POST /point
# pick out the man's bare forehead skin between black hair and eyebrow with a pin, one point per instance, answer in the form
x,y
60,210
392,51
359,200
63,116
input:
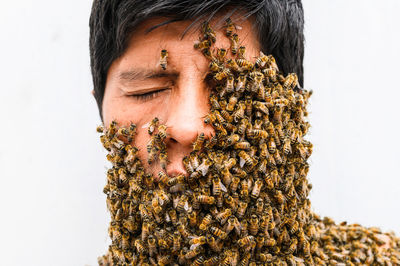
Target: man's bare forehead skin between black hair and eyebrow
x,y
179,37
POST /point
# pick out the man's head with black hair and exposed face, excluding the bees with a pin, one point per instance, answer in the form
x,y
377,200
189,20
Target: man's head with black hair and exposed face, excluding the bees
x,y
129,84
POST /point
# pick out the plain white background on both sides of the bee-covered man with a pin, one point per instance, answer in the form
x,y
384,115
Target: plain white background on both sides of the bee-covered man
x,y
53,211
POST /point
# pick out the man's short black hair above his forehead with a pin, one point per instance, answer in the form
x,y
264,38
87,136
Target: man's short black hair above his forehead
x,y
279,25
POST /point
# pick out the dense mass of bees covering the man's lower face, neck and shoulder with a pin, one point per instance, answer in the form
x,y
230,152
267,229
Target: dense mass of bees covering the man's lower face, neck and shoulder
x,y
245,198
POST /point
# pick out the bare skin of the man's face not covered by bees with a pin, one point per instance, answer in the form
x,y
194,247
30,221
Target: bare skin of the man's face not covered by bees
x,y
138,89
